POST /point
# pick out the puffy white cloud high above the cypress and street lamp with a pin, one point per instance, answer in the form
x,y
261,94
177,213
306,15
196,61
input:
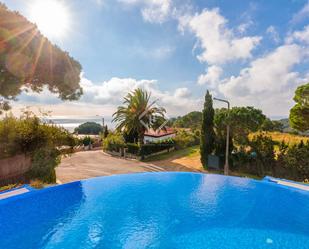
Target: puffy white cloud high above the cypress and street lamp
x,y
219,44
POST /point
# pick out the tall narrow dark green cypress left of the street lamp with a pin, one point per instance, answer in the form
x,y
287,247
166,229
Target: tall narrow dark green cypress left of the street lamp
x,y
207,131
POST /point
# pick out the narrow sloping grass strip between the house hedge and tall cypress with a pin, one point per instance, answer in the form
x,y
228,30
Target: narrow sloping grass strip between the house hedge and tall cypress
x,y
187,152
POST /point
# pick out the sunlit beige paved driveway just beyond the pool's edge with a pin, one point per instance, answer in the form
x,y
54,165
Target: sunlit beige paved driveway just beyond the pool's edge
x,y
87,164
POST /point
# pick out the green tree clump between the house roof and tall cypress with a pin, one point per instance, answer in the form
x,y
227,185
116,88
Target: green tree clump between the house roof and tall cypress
x,y
191,120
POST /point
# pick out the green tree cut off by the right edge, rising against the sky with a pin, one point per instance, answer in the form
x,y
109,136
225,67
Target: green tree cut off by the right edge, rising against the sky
x,y
299,114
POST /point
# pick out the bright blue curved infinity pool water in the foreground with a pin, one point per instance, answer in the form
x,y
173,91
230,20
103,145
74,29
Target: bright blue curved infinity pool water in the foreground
x,y
158,210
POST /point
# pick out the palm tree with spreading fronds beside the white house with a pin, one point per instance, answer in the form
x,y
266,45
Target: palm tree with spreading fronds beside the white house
x,y
137,114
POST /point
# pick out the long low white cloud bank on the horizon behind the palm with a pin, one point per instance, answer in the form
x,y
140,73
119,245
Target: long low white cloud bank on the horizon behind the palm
x,y
106,96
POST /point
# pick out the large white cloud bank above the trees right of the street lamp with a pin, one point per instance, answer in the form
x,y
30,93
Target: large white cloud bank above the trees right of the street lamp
x,y
268,83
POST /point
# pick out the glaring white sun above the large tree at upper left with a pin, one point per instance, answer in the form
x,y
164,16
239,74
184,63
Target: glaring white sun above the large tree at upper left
x,y
51,17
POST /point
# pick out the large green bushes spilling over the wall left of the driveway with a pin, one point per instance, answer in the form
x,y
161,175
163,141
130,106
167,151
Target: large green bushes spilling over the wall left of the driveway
x,y
27,135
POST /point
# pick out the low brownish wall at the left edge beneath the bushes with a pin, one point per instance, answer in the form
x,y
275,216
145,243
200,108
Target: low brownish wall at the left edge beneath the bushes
x,y
13,169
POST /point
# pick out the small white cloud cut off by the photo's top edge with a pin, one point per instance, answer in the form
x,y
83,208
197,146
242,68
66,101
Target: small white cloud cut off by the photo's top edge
x,y
153,11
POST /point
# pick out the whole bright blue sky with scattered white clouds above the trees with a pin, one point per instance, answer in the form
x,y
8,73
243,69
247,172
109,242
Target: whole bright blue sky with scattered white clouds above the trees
x,y
253,53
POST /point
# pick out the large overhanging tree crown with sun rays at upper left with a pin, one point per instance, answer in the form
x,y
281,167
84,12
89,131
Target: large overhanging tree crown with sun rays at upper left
x,y
28,60
